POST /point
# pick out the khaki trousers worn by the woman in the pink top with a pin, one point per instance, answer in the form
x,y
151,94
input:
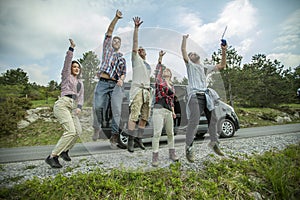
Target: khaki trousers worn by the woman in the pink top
x,y
64,111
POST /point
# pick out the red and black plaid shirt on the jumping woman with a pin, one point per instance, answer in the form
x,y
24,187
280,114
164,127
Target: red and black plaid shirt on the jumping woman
x,y
162,91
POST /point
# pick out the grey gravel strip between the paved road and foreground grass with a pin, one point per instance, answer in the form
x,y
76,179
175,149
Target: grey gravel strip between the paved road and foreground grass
x,y
14,173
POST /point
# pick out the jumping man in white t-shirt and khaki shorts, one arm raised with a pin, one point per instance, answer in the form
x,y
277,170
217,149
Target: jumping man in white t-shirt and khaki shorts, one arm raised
x,y
140,92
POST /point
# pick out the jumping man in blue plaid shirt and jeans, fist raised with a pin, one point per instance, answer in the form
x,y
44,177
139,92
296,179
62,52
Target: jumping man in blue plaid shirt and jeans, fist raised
x,y
111,75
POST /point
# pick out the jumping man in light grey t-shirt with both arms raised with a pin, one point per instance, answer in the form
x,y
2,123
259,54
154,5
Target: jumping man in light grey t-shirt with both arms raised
x,y
200,98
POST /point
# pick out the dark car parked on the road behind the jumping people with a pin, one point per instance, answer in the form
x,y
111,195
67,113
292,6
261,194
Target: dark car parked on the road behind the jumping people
x,y
228,122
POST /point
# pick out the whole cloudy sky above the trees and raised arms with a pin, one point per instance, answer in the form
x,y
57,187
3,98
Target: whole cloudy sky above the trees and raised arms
x,y
34,33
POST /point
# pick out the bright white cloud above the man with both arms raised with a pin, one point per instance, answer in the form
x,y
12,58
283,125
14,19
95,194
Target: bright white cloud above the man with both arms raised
x,y
238,15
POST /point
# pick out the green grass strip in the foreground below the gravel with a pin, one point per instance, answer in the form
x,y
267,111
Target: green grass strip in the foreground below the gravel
x,y
274,175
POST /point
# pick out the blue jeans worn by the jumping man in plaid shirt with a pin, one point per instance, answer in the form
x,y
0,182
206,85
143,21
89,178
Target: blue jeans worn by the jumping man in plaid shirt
x,y
105,92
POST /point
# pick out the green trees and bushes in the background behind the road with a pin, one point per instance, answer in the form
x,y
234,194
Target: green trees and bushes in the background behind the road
x,y
260,83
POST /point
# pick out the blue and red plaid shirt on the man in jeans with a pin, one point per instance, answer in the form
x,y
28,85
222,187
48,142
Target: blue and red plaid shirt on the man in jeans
x,y
113,62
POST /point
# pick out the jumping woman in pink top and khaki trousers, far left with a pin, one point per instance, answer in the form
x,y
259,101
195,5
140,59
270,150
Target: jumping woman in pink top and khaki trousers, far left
x,y
67,108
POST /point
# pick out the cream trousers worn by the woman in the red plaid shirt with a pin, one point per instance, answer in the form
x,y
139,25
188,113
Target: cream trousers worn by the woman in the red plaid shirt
x,y
162,118
